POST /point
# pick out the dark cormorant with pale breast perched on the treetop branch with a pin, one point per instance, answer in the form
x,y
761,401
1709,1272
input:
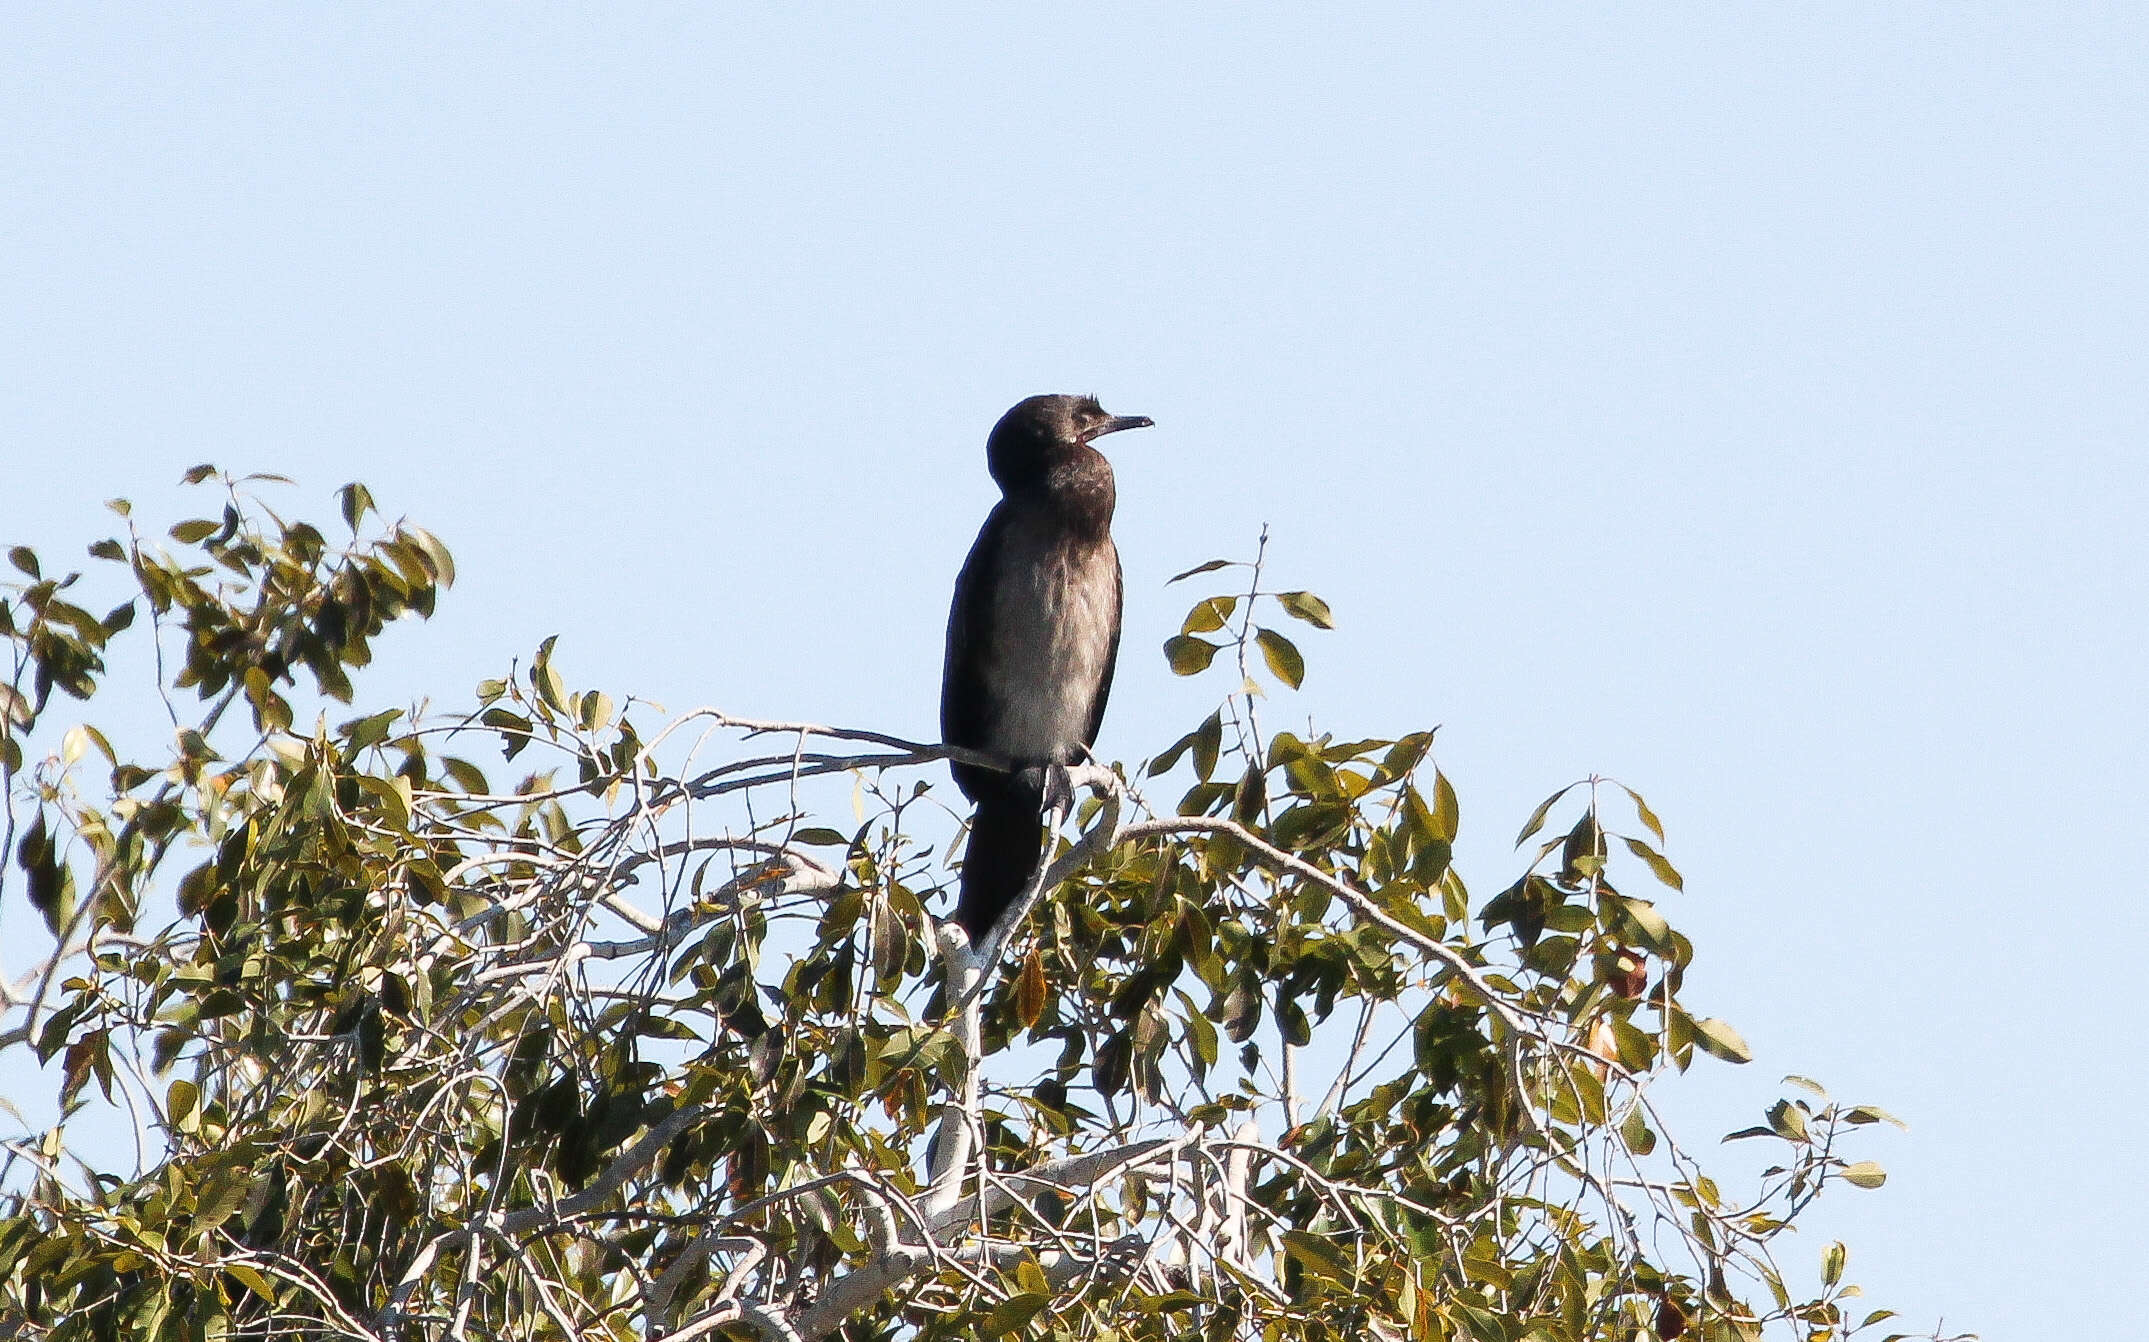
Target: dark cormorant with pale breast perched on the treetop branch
x,y
1033,638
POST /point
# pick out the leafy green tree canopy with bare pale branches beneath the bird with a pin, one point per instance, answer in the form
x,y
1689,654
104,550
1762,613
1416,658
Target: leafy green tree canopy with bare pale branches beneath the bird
x,y
553,1016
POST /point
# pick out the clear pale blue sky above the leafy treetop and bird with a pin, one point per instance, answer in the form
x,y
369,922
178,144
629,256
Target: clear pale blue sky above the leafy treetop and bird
x,y
1746,405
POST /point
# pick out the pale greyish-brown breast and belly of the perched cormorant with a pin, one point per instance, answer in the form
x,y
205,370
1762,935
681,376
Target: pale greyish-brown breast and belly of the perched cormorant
x,y
1054,627
